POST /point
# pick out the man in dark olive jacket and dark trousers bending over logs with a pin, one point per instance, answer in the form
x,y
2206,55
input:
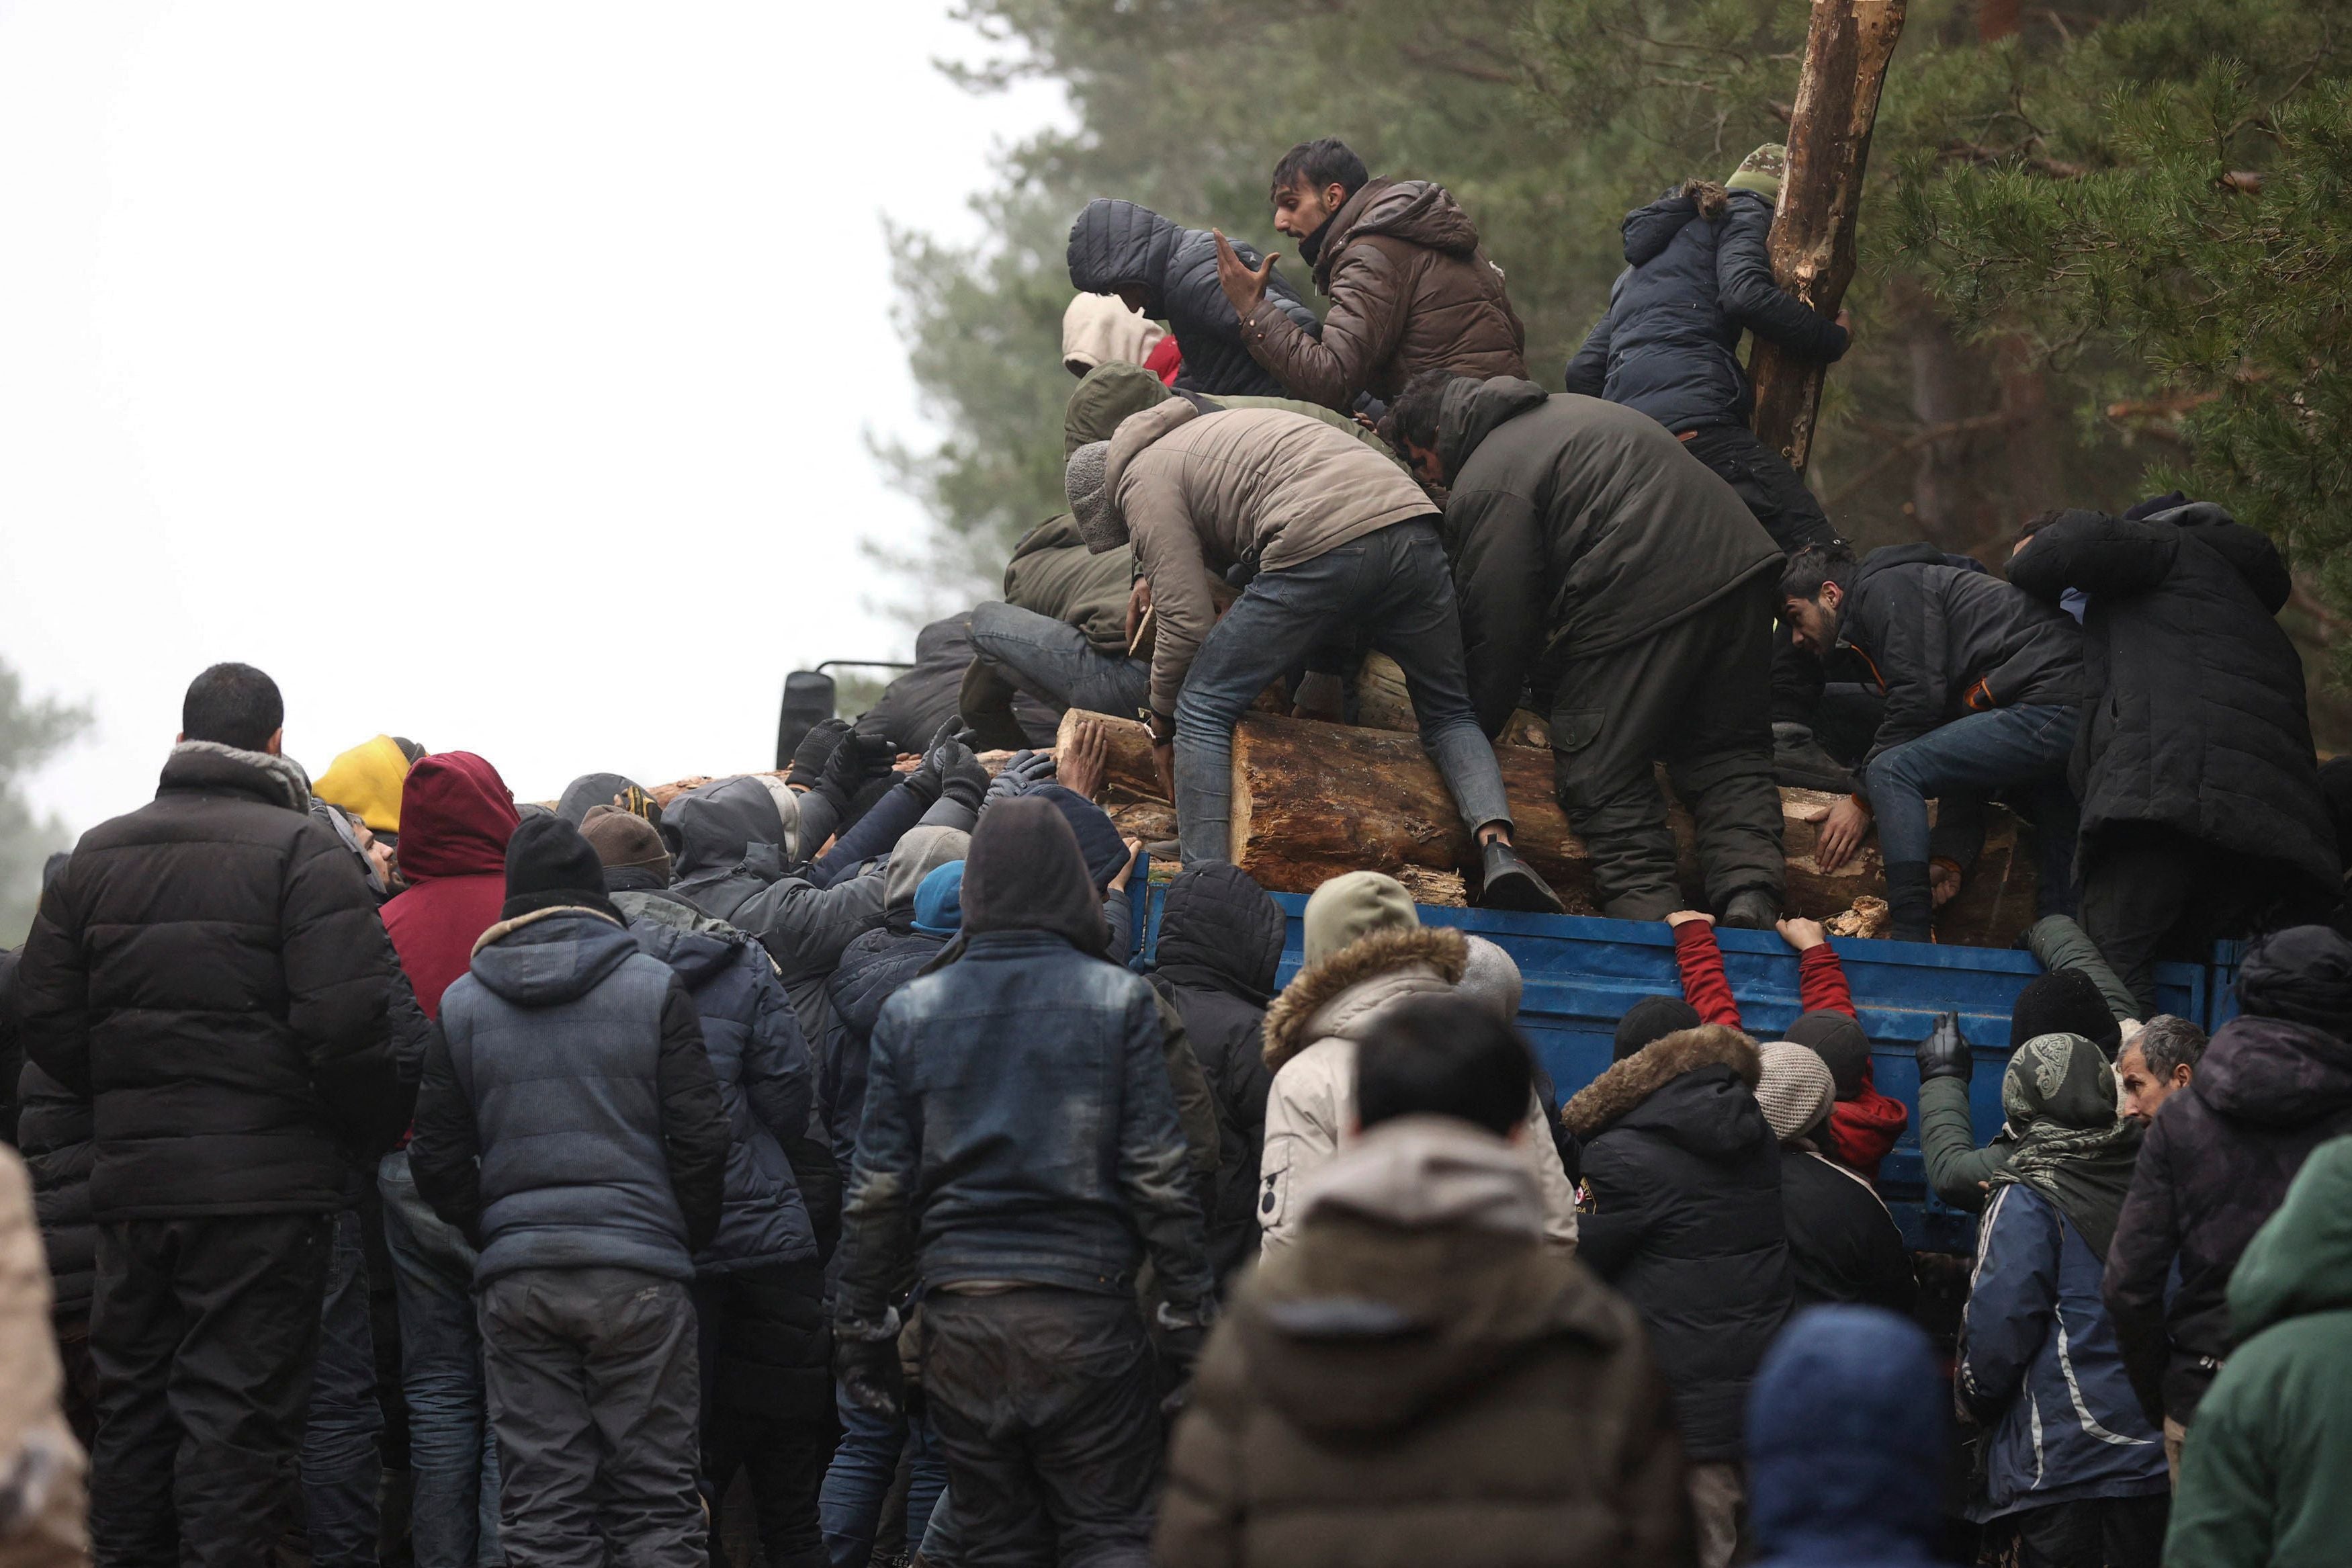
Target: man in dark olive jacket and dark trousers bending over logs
x,y
1636,589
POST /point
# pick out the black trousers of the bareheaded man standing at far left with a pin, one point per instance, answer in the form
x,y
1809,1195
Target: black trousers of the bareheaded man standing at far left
x,y
203,1334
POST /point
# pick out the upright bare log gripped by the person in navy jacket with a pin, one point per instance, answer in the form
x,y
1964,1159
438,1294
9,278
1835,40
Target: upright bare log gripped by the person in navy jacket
x,y
1812,241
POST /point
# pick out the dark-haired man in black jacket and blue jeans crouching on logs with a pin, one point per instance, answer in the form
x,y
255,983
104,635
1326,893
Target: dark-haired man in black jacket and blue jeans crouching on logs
x,y
1984,692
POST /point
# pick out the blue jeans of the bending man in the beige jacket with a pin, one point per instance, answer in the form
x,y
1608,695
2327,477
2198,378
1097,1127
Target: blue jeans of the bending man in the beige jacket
x,y
1394,584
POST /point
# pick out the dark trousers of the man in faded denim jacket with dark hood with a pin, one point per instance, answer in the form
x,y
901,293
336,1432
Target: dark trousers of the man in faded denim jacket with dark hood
x,y
1048,1409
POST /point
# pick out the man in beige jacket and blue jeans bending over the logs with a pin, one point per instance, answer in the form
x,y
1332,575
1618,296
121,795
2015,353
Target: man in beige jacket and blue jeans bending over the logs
x,y
1335,537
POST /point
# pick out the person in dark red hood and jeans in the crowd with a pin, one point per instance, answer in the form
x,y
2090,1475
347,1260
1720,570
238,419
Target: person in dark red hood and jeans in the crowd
x,y
455,822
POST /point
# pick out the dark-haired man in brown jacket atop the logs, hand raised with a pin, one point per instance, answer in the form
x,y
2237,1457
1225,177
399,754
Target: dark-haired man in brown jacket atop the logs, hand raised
x,y
1408,281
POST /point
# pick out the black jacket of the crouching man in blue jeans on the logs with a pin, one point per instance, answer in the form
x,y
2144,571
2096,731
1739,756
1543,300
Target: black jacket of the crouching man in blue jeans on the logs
x,y
1953,641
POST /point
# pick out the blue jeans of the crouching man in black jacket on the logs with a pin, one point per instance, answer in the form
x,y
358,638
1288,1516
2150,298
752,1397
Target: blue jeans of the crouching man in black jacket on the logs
x,y
2007,749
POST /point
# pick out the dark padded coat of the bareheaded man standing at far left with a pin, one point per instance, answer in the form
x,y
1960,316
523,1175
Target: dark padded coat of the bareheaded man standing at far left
x,y
227,930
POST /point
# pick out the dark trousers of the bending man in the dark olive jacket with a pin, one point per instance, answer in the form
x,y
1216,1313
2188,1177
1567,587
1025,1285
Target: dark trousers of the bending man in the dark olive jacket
x,y
1692,697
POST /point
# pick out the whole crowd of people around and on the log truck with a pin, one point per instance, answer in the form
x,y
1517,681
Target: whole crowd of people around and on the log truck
x,y
827,1167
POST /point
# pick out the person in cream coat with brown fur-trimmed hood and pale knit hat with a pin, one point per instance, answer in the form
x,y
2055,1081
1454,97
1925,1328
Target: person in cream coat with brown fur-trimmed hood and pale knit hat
x,y
1365,953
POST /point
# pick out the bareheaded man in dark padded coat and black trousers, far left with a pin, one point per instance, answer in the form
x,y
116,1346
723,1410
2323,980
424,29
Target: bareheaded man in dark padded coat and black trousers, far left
x,y
211,974
